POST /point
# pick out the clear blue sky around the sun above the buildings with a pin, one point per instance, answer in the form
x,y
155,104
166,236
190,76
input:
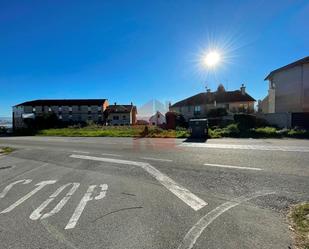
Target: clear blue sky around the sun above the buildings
x,y
141,50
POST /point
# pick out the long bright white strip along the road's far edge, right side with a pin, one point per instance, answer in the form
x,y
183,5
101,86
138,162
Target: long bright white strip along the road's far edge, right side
x,y
247,147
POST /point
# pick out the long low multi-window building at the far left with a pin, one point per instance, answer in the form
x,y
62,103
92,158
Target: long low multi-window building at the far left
x,y
66,110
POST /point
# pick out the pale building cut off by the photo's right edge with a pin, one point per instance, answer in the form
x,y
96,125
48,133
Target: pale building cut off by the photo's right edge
x,y
288,89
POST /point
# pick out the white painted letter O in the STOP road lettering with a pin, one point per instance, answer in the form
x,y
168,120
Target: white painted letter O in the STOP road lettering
x,y
37,213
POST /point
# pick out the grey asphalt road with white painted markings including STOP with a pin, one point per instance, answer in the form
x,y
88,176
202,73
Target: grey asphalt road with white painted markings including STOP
x,y
150,193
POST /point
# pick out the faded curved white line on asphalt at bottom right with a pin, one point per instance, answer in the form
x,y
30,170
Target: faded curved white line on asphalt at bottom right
x,y
195,232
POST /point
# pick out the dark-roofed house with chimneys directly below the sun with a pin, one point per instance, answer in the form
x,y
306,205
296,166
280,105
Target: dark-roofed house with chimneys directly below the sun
x,y
199,105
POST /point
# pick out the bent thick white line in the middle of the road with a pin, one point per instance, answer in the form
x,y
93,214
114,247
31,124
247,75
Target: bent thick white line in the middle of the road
x,y
181,192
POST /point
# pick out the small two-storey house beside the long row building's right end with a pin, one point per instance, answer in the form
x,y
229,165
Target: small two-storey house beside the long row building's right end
x,y
121,114
